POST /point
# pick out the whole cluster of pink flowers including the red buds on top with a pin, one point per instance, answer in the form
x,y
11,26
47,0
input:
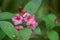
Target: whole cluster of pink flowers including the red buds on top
x,y
24,16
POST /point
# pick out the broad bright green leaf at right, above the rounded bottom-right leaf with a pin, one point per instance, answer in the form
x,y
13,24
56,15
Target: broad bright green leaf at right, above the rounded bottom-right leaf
x,y
50,20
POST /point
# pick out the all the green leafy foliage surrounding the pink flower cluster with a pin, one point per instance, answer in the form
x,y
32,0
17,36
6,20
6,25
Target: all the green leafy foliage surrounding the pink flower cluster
x,y
44,10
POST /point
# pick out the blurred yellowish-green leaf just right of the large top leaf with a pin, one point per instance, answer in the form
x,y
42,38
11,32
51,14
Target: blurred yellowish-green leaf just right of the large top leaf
x,y
41,12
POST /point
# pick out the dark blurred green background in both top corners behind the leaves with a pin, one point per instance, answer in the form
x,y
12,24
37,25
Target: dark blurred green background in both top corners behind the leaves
x,y
12,5
